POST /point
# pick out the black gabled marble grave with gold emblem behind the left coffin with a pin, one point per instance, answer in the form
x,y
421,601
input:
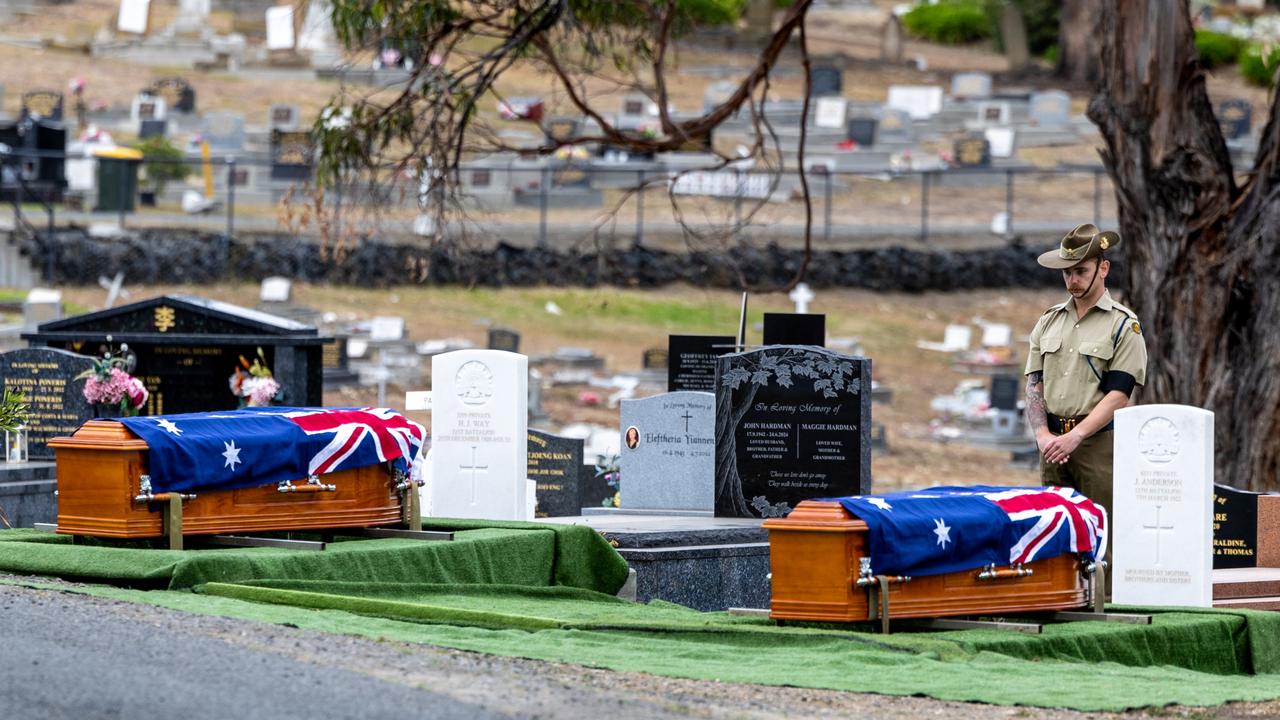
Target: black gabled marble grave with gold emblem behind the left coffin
x,y
188,348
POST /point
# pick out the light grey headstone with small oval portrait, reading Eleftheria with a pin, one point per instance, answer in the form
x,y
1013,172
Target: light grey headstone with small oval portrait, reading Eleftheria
x,y
669,452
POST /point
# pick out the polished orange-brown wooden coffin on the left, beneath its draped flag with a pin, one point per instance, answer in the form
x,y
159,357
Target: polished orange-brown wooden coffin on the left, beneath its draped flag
x,y
100,472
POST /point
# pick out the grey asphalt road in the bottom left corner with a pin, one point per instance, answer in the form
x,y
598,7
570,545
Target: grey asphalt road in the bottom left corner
x,y
63,660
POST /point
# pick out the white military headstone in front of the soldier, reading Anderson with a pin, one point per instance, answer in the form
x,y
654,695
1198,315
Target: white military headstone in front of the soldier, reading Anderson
x,y
1163,516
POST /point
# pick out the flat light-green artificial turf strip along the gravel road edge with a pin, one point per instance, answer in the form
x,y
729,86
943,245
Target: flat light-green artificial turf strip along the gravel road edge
x,y
568,626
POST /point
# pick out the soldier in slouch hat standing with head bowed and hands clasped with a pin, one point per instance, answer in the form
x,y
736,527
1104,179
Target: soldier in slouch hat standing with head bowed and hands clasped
x,y
1087,357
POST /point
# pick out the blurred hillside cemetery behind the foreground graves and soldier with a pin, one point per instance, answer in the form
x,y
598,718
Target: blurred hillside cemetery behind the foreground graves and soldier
x,y
129,124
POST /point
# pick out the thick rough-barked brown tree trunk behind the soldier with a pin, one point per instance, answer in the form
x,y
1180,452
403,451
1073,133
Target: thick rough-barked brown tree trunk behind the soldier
x,y
1204,258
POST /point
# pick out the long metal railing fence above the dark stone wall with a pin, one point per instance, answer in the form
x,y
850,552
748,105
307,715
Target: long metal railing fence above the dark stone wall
x,y
559,204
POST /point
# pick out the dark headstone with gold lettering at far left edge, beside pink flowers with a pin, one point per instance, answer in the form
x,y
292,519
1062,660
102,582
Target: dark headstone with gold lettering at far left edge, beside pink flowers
x,y
47,379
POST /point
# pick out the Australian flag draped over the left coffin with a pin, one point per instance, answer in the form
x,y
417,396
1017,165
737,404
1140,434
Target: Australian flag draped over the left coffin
x,y
262,446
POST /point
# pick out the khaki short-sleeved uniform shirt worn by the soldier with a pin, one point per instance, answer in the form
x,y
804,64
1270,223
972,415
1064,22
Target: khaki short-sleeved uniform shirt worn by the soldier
x,y
1076,354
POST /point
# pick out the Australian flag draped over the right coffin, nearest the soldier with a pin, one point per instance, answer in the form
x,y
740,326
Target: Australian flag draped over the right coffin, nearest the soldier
x,y
949,530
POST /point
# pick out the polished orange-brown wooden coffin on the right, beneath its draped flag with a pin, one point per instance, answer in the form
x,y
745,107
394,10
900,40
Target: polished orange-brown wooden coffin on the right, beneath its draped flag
x,y
815,558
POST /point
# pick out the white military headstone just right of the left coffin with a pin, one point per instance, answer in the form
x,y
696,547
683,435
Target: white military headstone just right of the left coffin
x,y
479,461
